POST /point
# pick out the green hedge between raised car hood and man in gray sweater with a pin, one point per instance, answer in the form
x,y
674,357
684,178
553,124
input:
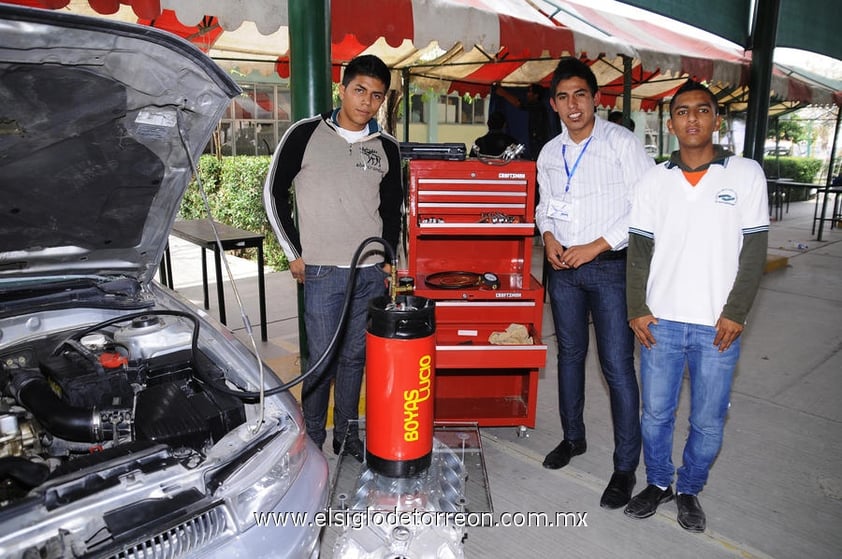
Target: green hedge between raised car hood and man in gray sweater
x,y
234,186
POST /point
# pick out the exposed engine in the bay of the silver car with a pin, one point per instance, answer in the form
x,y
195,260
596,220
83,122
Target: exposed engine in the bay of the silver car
x,y
67,402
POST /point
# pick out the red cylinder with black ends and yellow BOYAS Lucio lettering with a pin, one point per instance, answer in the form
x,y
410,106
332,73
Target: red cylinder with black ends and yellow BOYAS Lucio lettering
x,y
400,366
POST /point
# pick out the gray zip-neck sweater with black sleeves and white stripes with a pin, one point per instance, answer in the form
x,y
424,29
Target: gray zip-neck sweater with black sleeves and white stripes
x,y
343,192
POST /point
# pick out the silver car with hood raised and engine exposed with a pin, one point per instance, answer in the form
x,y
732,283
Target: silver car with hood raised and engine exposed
x,y
131,424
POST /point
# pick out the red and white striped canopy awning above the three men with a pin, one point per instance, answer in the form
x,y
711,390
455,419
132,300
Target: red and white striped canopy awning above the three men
x,y
465,45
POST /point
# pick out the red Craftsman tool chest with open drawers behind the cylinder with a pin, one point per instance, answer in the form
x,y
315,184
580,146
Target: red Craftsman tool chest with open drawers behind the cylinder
x,y
469,216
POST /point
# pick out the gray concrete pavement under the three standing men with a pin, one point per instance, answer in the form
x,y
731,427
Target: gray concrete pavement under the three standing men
x,y
774,491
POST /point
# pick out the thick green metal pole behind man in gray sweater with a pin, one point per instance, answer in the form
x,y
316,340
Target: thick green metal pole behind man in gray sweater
x,y
310,87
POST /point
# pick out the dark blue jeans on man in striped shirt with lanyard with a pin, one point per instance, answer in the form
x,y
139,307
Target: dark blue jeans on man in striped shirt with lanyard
x,y
598,288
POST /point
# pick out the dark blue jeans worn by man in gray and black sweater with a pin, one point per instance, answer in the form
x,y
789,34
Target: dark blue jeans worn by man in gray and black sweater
x,y
324,293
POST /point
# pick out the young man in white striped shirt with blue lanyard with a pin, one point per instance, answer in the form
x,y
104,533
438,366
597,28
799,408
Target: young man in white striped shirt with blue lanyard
x,y
586,176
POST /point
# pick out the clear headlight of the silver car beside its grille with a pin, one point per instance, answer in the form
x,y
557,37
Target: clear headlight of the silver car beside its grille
x,y
263,479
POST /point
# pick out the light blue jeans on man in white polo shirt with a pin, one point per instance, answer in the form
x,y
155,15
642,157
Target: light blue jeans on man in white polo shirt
x,y
678,344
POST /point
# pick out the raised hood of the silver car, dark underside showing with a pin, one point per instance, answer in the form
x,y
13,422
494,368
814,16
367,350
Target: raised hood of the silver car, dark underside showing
x,y
96,122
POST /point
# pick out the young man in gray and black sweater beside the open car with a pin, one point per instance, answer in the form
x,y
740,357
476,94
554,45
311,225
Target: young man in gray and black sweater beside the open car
x,y
345,174
